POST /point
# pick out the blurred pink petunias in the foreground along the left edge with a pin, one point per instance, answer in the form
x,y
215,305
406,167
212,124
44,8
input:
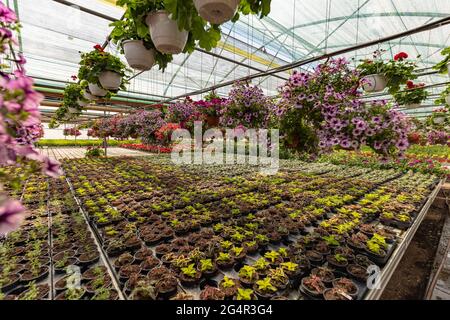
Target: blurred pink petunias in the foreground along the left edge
x,y
20,124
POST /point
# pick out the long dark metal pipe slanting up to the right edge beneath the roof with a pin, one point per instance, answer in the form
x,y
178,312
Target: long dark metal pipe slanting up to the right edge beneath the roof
x,y
426,27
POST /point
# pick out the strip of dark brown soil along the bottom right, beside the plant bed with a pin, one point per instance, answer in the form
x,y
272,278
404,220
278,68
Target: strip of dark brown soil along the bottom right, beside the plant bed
x,y
410,280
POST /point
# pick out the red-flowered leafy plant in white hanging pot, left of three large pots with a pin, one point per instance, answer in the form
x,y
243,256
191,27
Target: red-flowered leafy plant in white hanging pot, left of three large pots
x,y
104,72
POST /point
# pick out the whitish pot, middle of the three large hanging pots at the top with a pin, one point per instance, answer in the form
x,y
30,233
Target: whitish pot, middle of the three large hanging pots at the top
x,y
165,34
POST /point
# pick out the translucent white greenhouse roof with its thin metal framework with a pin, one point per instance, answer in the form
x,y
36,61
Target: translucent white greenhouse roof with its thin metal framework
x,y
54,34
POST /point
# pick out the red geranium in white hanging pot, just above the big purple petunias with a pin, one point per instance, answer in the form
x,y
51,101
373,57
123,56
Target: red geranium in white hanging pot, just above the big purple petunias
x,y
377,74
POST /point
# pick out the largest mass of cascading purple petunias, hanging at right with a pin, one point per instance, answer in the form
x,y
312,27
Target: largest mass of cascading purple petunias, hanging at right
x,y
322,110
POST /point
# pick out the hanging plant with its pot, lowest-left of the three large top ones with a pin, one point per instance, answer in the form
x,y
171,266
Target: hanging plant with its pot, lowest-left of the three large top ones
x,y
135,43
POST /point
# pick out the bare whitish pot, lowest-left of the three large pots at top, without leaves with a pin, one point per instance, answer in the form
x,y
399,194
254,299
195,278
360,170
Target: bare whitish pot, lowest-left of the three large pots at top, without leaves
x,y
138,56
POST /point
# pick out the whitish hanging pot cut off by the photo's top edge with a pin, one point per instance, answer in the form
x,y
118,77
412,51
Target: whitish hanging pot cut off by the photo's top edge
x,y
216,11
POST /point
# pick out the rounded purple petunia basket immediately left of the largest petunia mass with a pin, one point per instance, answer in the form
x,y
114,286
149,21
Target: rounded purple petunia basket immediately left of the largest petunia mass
x,y
247,106
